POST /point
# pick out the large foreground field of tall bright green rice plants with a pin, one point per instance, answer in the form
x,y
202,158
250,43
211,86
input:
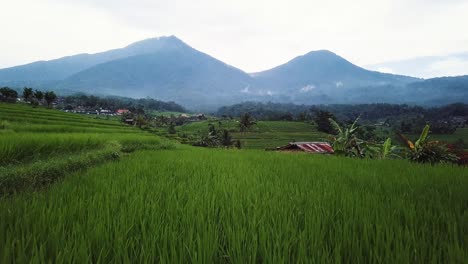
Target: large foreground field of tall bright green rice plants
x,y
204,205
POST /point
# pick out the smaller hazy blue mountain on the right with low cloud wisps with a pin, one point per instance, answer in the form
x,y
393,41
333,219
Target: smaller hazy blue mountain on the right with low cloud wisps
x,y
322,72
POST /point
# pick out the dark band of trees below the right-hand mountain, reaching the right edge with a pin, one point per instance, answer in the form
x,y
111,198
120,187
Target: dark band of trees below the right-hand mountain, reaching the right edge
x,y
401,117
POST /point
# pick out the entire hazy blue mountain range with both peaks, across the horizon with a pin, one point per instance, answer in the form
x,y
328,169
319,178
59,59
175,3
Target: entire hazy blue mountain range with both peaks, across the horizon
x,y
168,69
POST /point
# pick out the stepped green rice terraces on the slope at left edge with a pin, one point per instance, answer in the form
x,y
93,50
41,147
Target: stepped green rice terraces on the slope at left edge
x,y
38,146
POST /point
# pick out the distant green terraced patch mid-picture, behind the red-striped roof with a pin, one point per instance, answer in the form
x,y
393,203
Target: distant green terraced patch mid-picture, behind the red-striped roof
x,y
266,134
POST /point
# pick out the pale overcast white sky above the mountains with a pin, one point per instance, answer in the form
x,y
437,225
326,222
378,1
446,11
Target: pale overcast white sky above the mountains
x,y
252,35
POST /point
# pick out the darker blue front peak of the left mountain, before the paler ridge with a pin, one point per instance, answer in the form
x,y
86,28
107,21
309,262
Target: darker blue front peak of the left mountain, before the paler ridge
x,y
179,73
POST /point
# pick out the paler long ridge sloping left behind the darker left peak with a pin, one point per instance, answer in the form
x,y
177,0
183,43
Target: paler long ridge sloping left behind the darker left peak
x,y
47,72
